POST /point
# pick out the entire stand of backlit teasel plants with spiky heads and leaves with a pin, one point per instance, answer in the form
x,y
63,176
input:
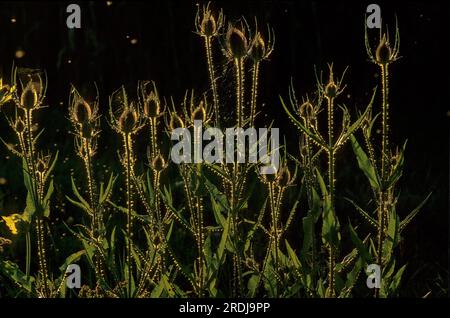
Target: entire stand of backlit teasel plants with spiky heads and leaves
x,y
278,270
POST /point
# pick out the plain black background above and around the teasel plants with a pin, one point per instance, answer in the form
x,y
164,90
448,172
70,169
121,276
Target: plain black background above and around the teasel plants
x,y
308,33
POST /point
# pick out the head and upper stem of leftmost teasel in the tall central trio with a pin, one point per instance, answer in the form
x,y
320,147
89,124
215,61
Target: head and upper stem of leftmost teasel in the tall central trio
x,y
209,26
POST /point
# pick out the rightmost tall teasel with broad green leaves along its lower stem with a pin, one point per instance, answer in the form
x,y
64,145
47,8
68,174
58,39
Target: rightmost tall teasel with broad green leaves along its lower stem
x,y
383,172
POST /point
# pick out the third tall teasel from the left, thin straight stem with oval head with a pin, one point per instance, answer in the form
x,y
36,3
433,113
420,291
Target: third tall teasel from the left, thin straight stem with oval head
x,y
127,121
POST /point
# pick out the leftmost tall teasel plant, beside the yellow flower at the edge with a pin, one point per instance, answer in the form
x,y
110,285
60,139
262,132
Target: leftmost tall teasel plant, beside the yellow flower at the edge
x,y
37,169
